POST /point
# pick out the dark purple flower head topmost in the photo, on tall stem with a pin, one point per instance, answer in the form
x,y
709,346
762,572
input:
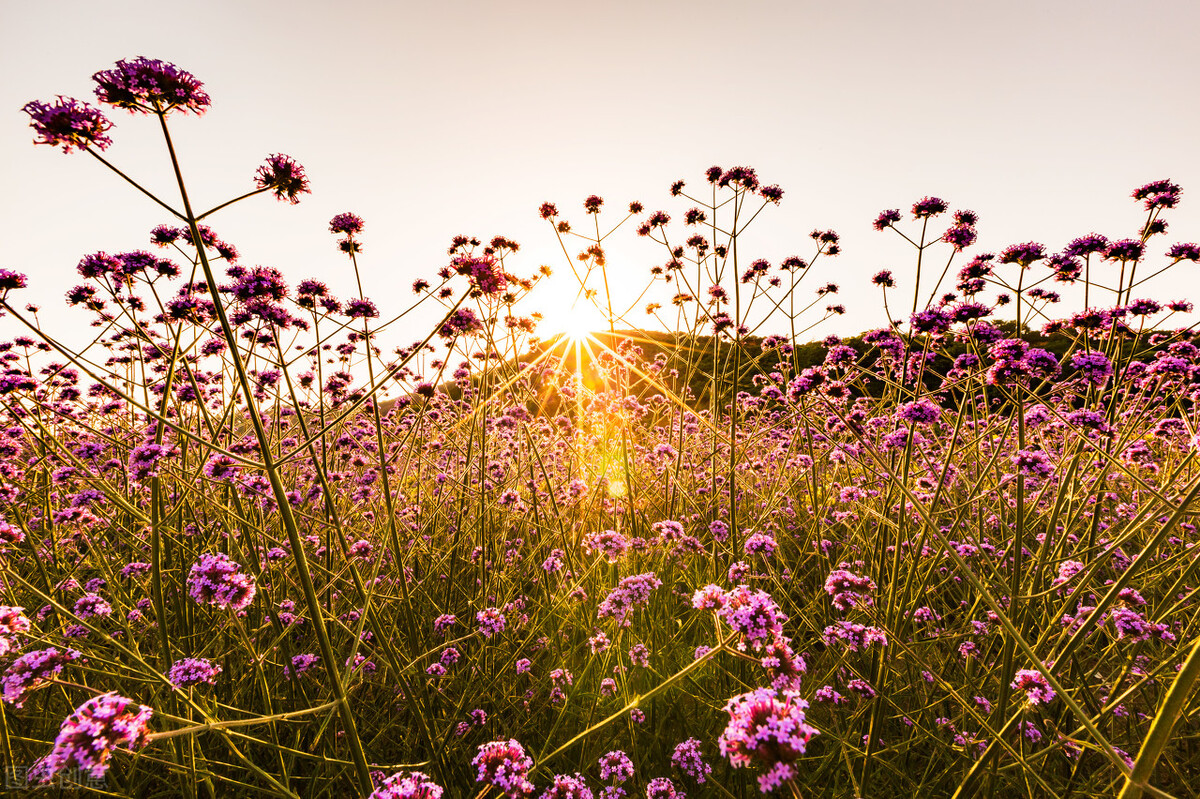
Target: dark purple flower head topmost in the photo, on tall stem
x,y
152,87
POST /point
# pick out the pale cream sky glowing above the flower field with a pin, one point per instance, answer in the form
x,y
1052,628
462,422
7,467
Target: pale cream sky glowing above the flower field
x,y
436,119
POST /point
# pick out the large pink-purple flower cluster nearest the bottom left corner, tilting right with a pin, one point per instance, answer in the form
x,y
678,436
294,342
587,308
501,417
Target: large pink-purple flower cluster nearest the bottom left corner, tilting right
x,y
92,734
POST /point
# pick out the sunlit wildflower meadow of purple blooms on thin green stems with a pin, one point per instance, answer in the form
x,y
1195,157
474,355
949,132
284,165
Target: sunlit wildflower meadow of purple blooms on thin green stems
x,y
705,555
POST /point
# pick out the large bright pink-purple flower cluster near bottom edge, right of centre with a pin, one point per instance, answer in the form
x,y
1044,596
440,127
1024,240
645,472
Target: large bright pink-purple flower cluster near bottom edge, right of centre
x,y
767,728
